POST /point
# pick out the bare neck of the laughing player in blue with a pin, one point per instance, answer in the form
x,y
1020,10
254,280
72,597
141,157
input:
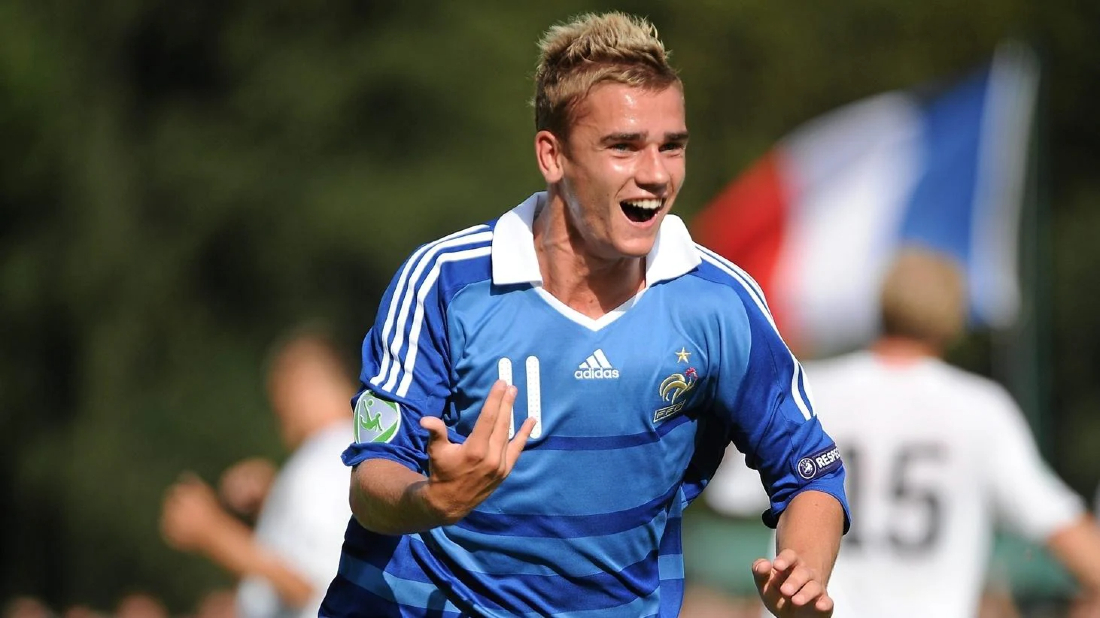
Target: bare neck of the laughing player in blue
x,y
574,274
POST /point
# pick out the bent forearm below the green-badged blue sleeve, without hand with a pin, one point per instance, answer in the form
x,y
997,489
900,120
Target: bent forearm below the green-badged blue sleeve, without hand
x,y
390,499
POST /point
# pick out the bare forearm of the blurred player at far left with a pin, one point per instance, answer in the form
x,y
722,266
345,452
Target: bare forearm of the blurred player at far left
x,y
234,547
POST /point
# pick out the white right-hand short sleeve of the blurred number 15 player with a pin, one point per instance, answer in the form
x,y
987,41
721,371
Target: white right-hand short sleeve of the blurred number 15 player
x,y
1030,499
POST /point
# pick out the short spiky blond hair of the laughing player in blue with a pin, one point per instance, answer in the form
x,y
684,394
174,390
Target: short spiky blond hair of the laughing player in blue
x,y
590,50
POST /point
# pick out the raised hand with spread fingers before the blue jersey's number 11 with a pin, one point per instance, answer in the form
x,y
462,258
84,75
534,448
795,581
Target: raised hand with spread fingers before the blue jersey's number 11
x,y
464,476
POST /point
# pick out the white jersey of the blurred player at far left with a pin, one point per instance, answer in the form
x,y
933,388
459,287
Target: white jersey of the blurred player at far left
x,y
303,521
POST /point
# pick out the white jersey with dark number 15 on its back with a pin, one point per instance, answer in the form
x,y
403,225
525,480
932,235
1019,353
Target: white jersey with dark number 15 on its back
x,y
936,458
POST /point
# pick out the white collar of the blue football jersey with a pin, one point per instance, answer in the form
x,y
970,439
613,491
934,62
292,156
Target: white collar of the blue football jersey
x,y
515,262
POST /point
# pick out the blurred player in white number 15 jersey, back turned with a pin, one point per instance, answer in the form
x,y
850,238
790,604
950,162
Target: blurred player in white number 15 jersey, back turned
x,y
936,457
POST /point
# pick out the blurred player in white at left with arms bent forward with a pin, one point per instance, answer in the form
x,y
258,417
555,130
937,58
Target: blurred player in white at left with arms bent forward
x,y
288,564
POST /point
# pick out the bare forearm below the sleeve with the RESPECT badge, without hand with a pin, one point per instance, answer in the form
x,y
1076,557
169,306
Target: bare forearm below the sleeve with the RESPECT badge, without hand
x,y
812,526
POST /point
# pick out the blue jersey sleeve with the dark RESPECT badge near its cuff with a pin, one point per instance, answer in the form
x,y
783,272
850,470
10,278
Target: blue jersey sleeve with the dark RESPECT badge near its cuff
x,y
765,395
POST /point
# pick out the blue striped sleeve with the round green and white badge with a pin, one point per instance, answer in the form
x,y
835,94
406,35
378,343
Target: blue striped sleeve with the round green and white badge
x,y
405,370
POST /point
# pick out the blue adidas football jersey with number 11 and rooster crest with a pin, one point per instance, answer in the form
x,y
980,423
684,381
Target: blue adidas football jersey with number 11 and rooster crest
x,y
634,412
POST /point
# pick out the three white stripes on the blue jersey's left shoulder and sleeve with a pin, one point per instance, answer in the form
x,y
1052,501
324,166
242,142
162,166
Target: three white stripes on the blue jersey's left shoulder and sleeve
x,y
405,313
